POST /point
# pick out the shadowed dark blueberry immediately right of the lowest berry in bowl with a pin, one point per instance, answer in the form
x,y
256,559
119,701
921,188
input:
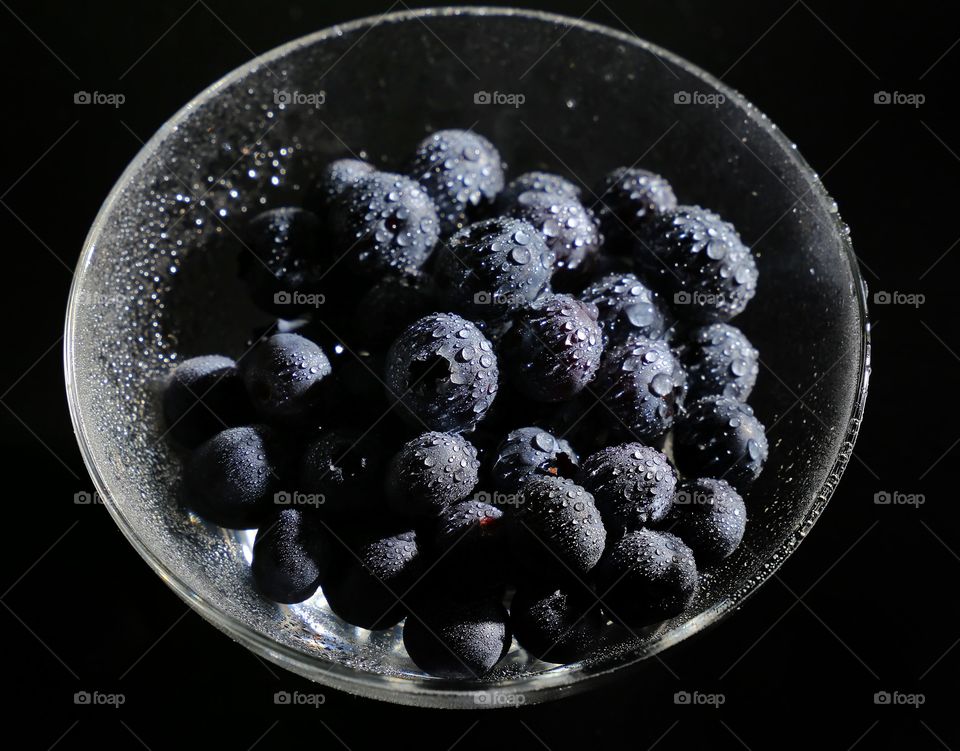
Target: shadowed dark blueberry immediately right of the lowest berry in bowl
x,y
555,624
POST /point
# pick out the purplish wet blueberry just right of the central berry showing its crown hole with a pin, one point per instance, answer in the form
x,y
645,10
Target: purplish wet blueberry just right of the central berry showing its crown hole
x,y
553,349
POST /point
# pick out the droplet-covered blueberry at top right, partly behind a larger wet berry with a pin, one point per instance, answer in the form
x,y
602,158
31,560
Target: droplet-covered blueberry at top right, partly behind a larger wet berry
x,y
629,197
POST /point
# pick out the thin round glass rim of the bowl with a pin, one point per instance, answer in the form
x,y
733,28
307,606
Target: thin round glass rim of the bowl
x,y
432,692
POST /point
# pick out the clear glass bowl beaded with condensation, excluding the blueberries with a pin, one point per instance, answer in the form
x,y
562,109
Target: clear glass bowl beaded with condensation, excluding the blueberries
x,y
156,282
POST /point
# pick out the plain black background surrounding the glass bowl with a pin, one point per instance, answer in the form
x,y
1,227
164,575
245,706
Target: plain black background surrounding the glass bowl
x,y
867,604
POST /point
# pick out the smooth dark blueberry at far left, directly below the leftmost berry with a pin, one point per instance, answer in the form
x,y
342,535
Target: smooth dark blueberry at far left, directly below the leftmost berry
x,y
231,479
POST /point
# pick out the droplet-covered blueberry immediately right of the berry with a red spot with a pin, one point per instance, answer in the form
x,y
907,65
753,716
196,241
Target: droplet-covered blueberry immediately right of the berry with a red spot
x,y
557,526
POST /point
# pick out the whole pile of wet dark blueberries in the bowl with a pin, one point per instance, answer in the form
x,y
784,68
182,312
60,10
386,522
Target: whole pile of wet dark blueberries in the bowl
x,y
485,408
